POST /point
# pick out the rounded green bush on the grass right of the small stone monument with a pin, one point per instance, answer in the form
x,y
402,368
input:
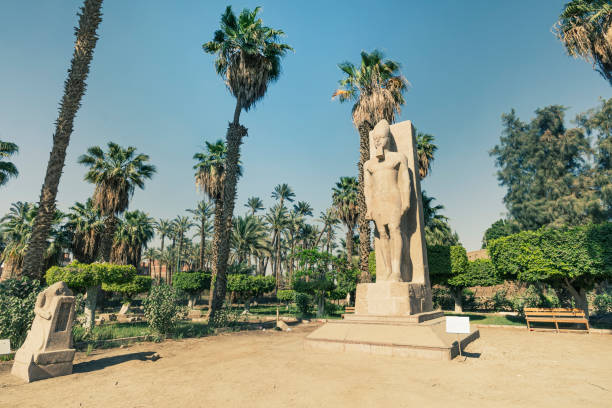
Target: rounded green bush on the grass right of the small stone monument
x,y
162,310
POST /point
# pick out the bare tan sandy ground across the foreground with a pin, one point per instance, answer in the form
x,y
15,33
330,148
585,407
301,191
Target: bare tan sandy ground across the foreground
x,y
271,369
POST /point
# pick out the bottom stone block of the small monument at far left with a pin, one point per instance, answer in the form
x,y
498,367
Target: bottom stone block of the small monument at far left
x,y
30,367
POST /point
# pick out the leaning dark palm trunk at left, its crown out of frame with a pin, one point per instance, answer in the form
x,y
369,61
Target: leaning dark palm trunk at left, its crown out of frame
x,y
90,17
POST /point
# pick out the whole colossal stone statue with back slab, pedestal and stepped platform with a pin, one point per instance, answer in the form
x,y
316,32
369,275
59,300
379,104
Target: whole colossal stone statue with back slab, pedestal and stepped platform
x,y
393,316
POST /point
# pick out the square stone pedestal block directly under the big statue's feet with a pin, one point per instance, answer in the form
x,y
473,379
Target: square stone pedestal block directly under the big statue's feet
x,y
392,299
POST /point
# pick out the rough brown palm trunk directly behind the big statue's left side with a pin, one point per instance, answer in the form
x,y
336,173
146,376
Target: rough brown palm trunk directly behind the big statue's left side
x,y
364,225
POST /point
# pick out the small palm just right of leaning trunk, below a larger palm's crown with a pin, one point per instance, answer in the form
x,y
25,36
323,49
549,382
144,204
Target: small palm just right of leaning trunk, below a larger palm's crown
x,y
86,226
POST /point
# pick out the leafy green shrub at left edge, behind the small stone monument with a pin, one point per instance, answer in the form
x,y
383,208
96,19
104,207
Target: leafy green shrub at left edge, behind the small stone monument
x,y
17,300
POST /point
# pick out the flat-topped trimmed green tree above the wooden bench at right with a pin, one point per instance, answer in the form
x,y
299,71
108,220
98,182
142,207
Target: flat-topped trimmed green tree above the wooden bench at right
x,y
574,258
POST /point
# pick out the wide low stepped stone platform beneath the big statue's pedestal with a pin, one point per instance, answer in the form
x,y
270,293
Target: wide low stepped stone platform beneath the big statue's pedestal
x,y
391,336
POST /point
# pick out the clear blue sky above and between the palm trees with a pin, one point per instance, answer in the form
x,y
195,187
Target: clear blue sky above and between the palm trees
x,y
152,87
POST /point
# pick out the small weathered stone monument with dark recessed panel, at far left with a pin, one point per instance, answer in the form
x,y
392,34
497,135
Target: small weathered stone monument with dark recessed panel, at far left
x,y
47,351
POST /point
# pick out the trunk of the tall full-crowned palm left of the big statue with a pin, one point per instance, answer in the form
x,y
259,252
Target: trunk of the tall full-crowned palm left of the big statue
x,y
235,133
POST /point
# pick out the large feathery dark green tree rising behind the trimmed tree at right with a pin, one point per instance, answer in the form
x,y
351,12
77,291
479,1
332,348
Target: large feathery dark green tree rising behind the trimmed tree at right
x,y
543,166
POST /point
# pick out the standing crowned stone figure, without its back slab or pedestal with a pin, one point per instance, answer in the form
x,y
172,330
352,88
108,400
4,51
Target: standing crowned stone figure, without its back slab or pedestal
x,y
387,189
